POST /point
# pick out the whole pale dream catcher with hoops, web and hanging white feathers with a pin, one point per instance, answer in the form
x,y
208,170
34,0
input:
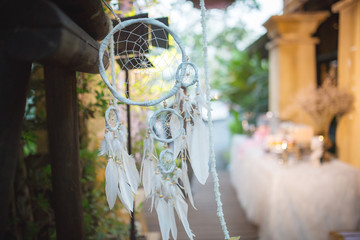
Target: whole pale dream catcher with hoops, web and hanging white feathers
x,y
176,132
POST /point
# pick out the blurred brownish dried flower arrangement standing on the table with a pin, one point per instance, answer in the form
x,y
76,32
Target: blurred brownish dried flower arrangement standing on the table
x,y
323,104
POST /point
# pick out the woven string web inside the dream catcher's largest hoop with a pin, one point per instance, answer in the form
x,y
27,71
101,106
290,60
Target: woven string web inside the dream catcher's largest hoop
x,y
150,56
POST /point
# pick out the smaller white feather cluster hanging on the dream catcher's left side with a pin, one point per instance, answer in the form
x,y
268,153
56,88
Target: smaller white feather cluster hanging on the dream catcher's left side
x,y
121,176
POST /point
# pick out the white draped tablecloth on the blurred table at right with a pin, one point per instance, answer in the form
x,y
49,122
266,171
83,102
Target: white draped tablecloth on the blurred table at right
x,y
291,202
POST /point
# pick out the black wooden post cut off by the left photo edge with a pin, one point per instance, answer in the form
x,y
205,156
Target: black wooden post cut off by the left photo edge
x,y
13,90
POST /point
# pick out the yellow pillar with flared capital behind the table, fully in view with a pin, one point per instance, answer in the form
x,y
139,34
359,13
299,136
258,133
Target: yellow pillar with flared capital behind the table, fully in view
x,y
292,60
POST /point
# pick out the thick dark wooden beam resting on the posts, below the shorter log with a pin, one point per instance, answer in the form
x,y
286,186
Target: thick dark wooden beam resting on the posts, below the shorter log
x,y
43,33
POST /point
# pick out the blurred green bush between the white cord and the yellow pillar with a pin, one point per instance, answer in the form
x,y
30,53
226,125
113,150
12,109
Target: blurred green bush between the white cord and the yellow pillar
x,y
243,81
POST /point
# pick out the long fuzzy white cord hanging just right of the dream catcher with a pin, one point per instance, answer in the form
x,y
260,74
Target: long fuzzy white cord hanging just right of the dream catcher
x,y
210,124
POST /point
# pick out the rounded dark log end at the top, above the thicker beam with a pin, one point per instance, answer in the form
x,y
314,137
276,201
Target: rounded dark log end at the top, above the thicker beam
x,y
88,14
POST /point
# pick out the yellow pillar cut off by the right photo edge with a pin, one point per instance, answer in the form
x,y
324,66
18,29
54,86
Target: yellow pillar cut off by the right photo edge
x,y
348,130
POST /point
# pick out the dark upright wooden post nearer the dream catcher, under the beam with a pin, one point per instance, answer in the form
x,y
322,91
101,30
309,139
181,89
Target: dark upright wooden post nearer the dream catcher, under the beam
x,y
63,124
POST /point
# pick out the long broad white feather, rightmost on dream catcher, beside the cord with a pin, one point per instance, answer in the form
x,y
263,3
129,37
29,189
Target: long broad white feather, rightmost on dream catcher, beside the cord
x,y
199,150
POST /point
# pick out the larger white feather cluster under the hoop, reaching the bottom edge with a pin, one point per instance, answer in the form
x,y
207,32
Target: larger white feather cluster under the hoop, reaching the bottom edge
x,y
161,176
